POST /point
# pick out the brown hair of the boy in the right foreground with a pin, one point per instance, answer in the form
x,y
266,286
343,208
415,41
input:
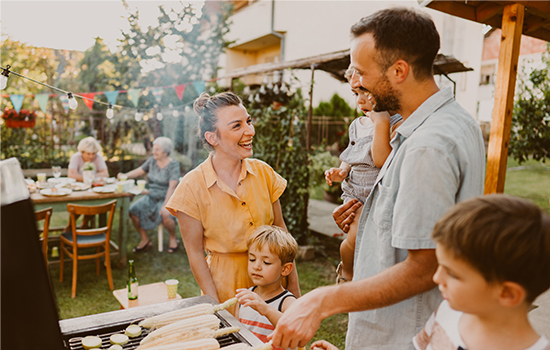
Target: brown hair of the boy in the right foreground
x,y
503,237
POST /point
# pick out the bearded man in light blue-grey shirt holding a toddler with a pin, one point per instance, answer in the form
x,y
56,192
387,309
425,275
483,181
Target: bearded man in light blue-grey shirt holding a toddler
x,y
437,160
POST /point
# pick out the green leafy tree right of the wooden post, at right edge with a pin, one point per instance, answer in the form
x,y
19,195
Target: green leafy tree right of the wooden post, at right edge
x,y
530,124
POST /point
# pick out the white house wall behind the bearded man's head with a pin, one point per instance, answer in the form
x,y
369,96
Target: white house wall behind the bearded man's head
x,y
318,27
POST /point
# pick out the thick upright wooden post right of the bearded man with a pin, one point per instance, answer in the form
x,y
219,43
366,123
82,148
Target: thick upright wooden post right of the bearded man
x,y
511,32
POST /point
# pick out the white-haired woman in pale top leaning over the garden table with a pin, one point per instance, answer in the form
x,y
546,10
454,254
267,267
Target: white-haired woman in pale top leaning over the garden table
x,y
88,149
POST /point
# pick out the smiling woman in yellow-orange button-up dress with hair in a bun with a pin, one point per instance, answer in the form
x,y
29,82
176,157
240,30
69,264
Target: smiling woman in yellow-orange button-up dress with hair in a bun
x,y
222,201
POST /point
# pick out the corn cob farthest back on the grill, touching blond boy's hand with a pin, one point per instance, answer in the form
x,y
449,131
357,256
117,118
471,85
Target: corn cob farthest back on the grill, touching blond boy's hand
x,y
188,312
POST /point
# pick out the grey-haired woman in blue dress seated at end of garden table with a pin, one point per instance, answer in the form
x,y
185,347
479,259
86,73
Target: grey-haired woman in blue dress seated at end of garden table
x,y
162,176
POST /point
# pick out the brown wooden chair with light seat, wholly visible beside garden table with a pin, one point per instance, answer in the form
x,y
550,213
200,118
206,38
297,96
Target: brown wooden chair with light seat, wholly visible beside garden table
x,y
87,238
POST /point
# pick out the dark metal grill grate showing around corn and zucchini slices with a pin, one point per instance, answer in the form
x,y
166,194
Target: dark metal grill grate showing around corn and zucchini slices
x,y
75,343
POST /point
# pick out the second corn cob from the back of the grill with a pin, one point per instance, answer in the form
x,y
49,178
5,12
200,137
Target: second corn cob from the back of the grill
x,y
189,326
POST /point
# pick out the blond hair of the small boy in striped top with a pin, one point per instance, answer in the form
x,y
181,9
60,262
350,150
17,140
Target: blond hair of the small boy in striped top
x,y
280,242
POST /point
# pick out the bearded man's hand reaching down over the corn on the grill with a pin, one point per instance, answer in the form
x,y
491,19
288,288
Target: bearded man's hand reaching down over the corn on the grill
x,y
299,322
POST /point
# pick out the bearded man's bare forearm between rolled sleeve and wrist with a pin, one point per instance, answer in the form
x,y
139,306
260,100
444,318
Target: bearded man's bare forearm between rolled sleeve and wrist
x,y
397,283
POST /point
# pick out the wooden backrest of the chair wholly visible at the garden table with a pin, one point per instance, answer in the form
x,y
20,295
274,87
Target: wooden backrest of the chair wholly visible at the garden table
x,y
76,210
